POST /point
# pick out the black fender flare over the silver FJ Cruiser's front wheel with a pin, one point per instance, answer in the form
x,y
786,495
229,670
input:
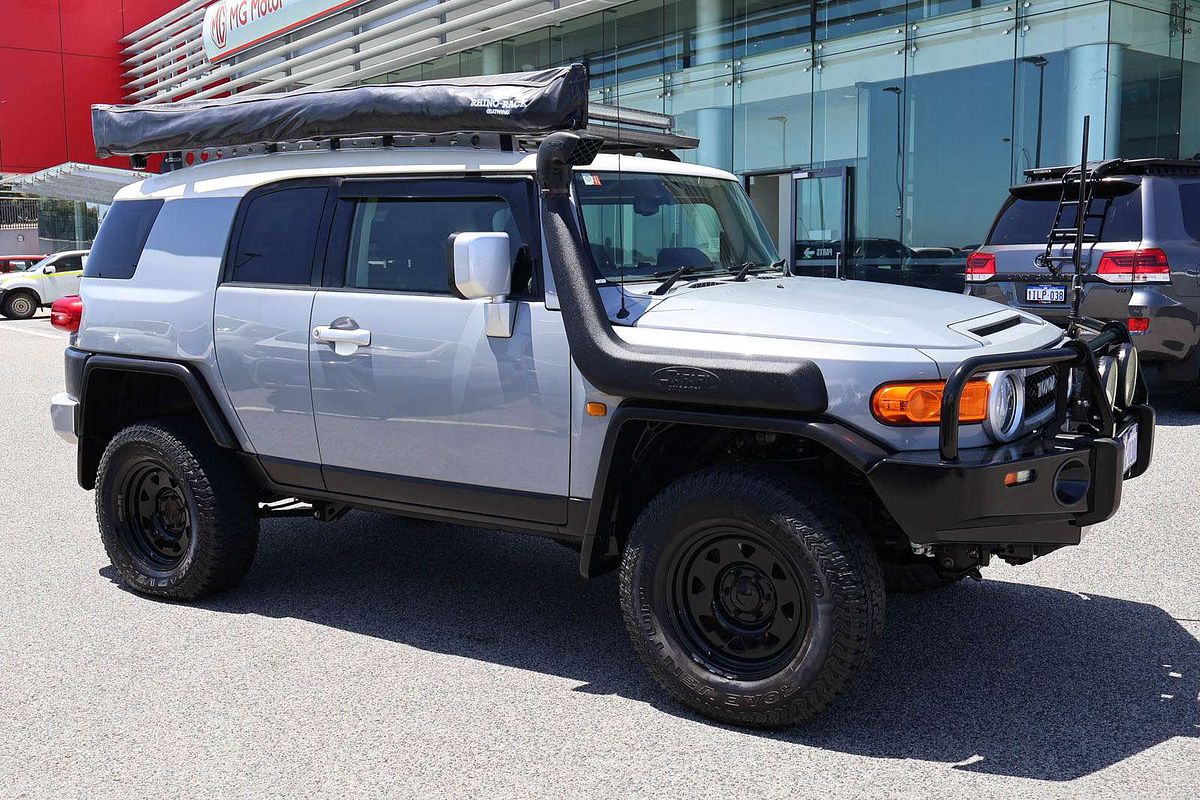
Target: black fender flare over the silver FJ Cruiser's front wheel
x,y
856,449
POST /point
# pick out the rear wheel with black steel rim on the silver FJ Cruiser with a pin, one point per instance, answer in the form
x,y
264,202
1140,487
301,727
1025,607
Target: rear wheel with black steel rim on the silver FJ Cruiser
x,y
177,515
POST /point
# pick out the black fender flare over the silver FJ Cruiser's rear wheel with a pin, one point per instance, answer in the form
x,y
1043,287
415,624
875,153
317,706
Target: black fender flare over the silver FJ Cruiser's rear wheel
x,y
116,392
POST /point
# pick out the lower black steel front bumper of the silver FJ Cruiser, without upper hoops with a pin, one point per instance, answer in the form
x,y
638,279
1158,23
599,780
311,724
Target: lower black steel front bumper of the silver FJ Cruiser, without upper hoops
x,y
968,501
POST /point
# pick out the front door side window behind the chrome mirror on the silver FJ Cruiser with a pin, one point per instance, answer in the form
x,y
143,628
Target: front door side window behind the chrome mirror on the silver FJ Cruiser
x,y
403,244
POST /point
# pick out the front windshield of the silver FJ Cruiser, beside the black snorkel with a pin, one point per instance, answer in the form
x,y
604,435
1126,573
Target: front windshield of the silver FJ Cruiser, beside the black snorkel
x,y
644,226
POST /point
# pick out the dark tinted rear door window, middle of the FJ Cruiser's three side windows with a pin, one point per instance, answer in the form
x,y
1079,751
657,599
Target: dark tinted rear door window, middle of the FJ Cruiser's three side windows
x,y
279,237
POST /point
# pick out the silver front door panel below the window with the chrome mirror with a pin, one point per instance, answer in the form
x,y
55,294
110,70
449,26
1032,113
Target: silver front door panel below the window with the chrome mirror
x,y
434,398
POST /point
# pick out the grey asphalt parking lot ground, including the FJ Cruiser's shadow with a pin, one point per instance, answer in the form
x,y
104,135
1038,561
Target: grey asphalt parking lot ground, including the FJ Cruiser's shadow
x,y
380,657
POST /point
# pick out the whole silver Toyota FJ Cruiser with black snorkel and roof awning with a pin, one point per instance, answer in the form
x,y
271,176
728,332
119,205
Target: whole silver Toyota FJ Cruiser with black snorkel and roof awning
x,y
527,326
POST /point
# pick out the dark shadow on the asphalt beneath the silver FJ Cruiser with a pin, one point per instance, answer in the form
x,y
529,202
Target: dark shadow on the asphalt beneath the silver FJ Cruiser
x,y
992,677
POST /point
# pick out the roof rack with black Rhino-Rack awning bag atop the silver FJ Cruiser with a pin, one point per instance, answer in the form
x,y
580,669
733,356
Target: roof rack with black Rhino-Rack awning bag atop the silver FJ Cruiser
x,y
508,112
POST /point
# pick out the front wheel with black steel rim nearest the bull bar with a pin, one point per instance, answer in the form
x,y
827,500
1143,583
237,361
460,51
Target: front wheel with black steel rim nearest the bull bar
x,y
754,598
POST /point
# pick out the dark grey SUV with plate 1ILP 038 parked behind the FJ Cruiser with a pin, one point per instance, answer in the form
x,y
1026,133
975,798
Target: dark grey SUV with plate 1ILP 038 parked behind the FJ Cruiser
x,y
1142,257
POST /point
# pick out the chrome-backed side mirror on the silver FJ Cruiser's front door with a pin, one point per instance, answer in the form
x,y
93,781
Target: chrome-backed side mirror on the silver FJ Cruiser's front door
x,y
482,267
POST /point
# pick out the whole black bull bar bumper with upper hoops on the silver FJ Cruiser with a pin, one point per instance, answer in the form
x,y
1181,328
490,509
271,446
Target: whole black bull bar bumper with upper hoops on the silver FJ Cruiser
x,y
1045,490
